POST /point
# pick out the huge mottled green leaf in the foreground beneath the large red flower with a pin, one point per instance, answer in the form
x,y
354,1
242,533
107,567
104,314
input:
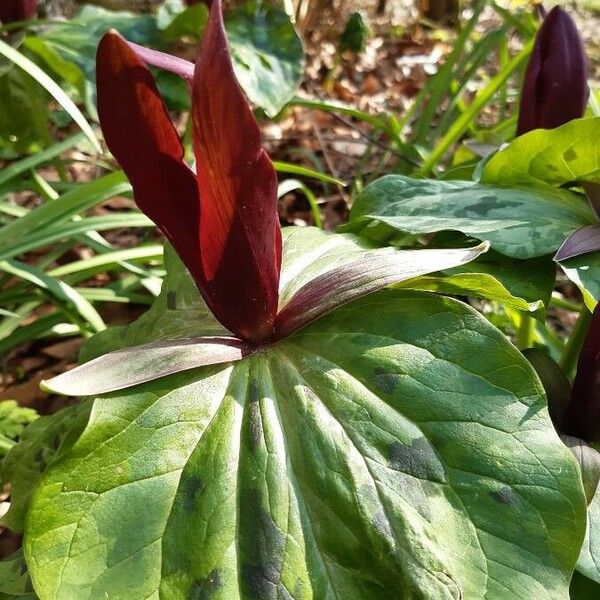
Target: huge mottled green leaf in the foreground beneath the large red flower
x,y
368,456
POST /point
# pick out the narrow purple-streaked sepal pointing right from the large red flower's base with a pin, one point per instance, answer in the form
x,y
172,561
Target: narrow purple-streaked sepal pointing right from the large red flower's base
x,y
371,272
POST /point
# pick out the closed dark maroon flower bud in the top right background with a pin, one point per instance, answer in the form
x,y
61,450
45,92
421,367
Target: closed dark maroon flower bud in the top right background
x,y
555,88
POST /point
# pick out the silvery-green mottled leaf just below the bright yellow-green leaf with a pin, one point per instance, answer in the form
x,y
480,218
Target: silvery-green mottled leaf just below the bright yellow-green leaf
x,y
521,222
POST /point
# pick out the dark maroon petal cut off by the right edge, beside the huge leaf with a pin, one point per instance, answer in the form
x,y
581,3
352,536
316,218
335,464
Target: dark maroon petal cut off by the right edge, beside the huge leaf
x,y
582,418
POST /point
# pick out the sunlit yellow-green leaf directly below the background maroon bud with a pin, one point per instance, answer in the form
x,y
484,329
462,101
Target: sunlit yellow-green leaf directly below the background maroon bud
x,y
567,154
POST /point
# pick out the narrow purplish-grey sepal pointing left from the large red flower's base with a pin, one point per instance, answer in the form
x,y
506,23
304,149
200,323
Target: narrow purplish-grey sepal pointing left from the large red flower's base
x,y
139,364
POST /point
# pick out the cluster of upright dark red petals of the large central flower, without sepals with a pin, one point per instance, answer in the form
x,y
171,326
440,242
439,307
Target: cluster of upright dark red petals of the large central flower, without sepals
x,y
222,219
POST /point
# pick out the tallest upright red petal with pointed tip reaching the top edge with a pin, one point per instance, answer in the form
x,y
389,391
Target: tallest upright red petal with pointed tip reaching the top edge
x,y
239,231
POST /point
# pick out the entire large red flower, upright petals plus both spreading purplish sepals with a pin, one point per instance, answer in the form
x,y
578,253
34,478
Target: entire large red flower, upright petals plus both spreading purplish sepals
x,y
221,217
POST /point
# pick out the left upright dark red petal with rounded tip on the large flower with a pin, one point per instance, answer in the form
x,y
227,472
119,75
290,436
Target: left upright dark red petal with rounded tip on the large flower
x,y
141,136
